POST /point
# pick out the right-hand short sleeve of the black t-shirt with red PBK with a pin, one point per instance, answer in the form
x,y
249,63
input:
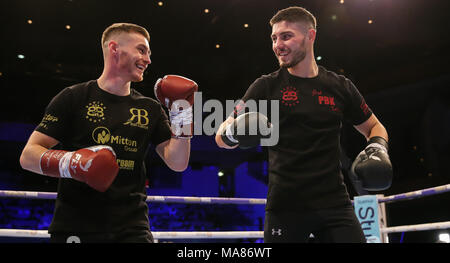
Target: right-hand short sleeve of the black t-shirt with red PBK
x,y
357,110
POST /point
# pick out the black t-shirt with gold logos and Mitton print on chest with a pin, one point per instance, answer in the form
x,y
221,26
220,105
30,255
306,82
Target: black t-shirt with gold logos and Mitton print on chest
x,y
84,115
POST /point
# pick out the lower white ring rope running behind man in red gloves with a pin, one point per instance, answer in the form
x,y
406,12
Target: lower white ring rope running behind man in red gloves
x,y
157,235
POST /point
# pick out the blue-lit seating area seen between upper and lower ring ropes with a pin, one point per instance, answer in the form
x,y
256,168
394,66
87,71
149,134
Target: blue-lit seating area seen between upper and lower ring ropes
x,y
37,214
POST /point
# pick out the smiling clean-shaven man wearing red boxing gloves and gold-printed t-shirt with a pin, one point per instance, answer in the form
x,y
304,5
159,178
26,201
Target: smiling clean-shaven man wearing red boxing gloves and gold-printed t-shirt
x,y
104,128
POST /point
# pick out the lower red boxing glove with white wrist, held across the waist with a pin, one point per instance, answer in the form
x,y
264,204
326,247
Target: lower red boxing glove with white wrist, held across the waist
x,y
96,166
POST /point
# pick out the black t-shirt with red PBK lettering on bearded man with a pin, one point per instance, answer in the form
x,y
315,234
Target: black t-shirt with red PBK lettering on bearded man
x,y
304,167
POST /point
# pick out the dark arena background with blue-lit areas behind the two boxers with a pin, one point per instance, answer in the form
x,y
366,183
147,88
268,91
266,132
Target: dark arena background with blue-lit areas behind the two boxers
x,y
395,51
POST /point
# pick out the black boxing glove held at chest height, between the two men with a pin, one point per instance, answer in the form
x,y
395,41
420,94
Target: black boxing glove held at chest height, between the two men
x,y
247,130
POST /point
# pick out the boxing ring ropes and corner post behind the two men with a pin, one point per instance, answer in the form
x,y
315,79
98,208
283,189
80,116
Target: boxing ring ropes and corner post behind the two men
x,y
381,221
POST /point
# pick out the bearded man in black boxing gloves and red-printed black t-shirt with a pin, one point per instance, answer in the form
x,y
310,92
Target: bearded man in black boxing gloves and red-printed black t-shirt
x,y
306,190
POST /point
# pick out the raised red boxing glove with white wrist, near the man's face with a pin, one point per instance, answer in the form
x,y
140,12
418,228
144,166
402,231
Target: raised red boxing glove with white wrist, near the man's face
x,y
177,94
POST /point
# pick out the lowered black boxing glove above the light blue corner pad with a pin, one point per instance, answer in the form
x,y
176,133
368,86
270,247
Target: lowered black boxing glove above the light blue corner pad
x,y
372,167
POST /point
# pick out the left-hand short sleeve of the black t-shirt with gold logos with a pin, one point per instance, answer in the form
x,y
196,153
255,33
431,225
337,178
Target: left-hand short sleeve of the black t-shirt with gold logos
x,y
56,120
